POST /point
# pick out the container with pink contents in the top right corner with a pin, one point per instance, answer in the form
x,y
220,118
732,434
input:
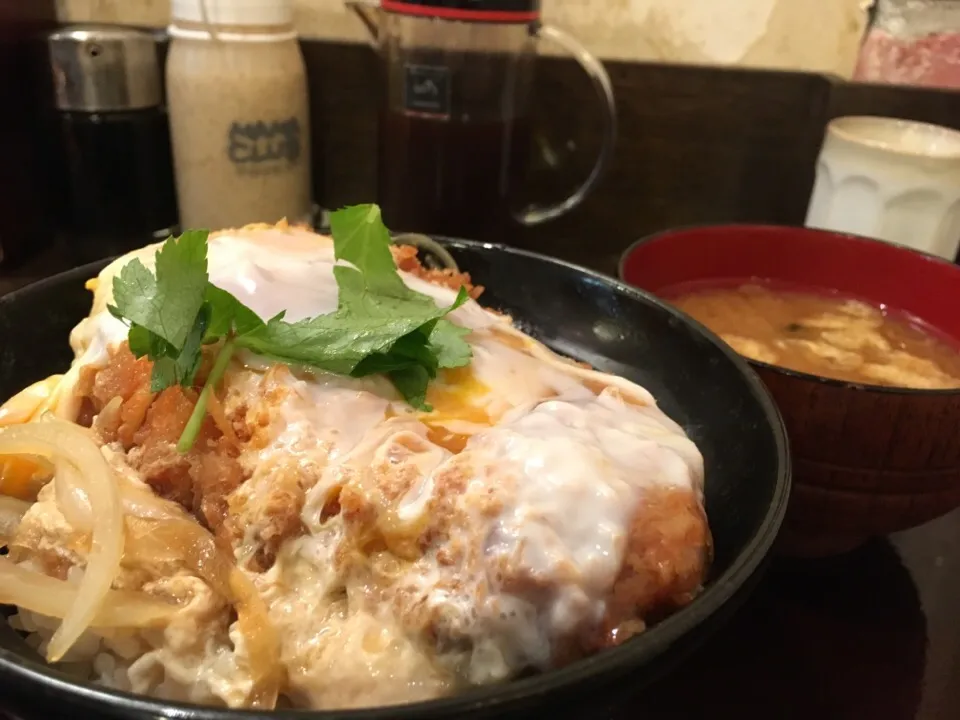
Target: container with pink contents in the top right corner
x,y
913,42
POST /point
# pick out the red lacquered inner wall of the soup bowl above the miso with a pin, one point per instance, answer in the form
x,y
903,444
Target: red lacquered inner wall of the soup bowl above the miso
x,y
881,273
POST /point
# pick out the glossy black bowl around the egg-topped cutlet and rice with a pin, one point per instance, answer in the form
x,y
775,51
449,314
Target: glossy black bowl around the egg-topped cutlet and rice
x,y
697,380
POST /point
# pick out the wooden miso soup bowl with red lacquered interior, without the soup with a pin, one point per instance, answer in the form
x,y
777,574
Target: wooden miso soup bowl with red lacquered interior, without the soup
x,y
868,460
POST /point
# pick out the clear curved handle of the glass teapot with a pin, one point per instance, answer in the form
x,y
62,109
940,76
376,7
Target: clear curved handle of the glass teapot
x,y
537,214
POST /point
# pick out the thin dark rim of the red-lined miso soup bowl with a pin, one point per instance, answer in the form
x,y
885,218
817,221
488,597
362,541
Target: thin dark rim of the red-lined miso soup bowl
x,y
664,235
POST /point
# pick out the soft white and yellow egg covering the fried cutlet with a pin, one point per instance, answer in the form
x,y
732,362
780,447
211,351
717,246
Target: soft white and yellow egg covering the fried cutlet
x,y
403,554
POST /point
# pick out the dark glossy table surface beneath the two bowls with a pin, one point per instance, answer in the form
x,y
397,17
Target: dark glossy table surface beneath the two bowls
x,y
874,635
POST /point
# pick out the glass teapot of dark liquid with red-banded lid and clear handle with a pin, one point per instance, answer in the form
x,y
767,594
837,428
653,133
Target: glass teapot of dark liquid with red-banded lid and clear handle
x,y
455,137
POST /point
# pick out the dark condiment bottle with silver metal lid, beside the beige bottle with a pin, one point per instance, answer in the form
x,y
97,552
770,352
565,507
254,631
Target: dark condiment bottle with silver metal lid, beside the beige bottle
x,y
114,138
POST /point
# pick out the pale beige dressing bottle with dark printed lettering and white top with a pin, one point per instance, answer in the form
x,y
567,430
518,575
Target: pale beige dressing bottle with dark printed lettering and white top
x,y
239,114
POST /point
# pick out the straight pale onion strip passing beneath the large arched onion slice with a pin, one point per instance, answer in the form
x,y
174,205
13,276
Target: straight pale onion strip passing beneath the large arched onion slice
x,y
54,598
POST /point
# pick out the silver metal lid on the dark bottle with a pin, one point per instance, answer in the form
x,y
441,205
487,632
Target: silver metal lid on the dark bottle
x,y
99,68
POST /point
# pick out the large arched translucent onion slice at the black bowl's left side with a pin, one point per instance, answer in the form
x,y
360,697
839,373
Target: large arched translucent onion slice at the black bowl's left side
x,y
64,442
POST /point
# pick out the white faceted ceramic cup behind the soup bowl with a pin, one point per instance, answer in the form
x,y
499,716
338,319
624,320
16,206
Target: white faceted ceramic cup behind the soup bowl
x,y
890,179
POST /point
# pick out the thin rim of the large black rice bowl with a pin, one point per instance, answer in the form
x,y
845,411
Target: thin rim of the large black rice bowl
x,y
658,638
